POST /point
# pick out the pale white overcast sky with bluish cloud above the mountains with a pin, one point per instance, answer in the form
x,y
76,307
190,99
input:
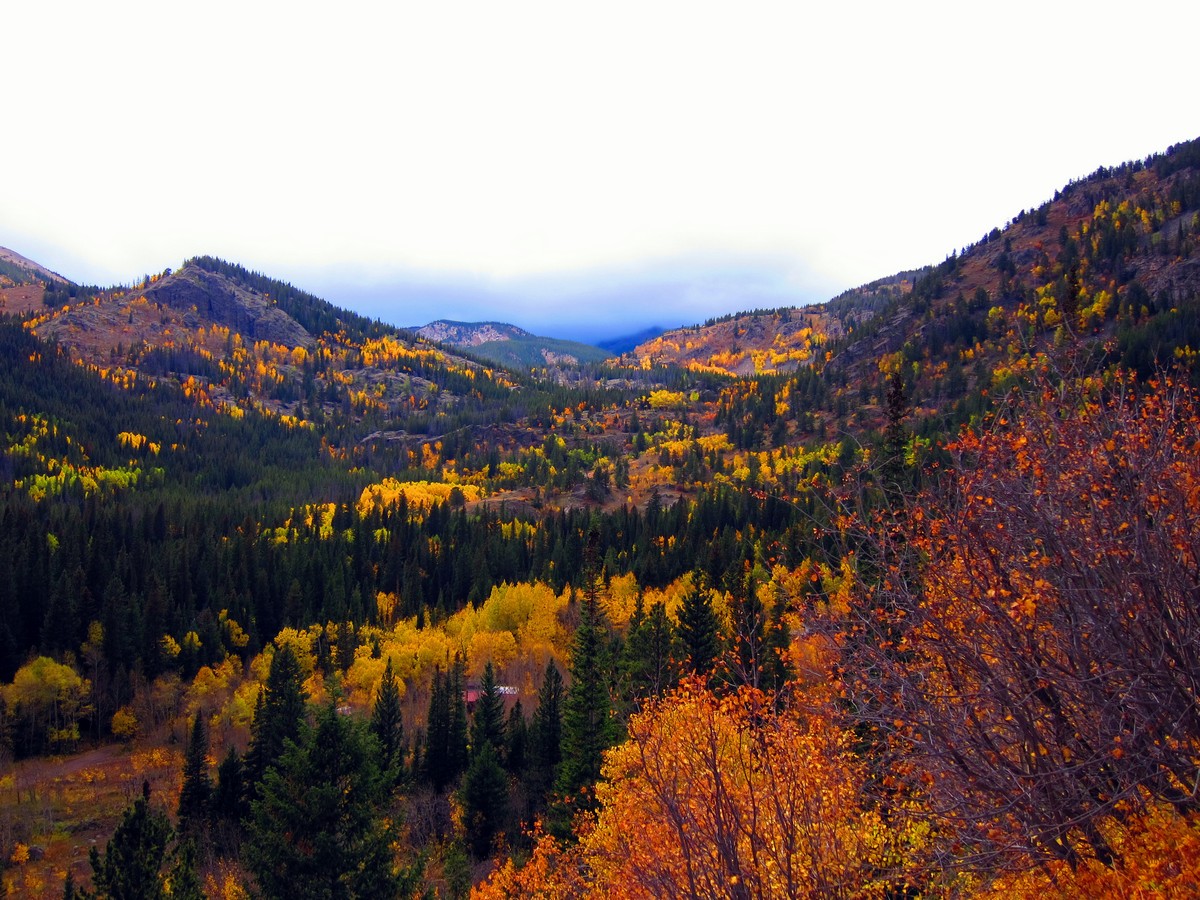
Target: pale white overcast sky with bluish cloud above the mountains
x,y
579,170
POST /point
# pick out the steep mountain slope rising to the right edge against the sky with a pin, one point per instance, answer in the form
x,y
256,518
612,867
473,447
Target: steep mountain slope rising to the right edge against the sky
x,y
1111,263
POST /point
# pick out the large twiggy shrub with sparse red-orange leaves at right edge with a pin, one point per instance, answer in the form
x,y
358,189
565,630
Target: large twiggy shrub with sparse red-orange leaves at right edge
x,y
1037,644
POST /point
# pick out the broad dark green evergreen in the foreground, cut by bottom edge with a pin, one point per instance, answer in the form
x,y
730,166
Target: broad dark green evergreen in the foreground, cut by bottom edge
x,y
319,831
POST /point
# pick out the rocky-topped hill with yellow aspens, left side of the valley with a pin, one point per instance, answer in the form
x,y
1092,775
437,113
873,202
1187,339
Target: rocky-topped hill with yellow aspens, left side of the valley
x,y
241,340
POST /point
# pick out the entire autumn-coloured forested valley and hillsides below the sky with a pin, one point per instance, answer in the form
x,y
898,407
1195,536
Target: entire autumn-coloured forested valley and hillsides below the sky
x,y
891,597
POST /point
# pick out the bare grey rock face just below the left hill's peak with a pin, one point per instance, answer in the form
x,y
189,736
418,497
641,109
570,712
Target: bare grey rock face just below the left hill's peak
x,y
221,301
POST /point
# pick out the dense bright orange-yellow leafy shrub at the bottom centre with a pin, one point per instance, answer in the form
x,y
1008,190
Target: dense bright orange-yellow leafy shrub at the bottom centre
x,y
734,797
